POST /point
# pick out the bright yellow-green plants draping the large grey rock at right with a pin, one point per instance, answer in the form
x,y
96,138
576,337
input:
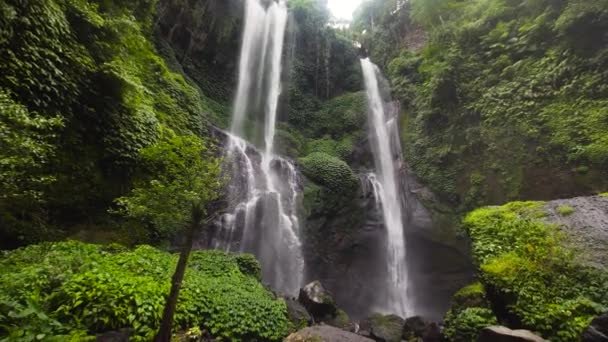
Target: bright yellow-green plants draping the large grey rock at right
x,y
539,280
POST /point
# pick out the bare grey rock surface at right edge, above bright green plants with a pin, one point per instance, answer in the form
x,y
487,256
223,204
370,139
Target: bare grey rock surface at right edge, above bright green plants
x,y
585,222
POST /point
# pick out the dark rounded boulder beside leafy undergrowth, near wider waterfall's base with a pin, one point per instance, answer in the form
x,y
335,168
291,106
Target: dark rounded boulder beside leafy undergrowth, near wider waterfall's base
x,y
318,301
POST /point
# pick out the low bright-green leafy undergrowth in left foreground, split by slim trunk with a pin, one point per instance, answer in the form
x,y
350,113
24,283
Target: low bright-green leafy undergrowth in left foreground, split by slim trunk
x,y
66,291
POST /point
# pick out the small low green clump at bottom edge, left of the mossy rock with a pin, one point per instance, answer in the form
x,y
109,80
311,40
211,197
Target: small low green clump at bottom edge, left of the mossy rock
x,y
465,325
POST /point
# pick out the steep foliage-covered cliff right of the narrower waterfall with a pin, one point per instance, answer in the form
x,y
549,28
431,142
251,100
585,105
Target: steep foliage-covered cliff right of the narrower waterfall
x,y
506,99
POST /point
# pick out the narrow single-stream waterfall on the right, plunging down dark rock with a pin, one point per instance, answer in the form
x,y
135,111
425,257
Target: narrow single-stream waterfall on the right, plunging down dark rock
x,y
384,137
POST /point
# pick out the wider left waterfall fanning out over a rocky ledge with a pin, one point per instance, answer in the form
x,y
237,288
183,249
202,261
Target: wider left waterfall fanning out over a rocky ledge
x,y
263,188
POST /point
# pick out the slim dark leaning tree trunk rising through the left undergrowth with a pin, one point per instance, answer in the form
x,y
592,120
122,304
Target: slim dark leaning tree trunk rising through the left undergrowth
x,y
164,334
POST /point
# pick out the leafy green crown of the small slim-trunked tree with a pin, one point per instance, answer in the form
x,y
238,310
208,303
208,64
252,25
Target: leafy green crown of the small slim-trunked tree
x,y
183,174
